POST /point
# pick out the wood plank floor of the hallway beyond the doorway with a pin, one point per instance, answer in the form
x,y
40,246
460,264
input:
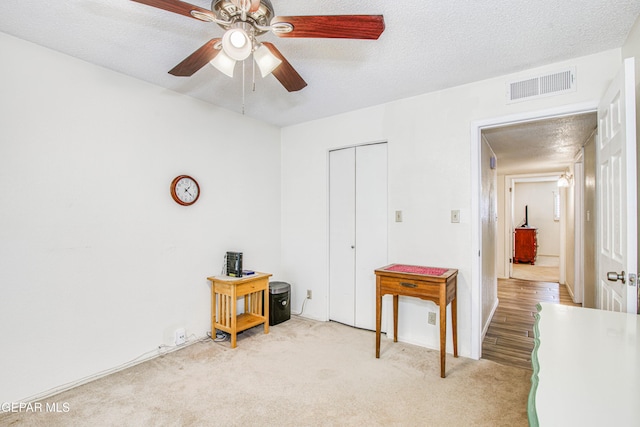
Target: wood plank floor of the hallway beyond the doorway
x,y
509,339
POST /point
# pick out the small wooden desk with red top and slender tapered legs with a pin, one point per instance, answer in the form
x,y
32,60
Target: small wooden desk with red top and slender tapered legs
x,y
433,284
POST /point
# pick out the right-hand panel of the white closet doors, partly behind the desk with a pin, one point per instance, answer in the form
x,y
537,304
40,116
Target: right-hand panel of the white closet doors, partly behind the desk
x,y
371,229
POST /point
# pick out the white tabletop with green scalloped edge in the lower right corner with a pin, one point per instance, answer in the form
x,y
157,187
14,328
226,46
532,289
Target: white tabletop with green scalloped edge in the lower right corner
x,y
586,368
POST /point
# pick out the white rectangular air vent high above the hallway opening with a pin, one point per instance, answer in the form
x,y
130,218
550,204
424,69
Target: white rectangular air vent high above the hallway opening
x,y
541,86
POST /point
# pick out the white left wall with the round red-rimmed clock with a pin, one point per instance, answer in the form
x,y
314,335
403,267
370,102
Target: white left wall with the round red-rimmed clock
x,y
98,265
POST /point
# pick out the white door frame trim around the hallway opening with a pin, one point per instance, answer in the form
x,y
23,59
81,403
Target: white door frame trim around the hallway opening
x,y
476,228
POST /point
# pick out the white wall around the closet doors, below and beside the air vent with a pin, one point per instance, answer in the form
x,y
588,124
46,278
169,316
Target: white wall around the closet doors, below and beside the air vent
x,y
429,142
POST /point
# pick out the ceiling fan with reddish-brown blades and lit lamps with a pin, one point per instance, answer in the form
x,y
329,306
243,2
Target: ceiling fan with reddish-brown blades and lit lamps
x,y
245,20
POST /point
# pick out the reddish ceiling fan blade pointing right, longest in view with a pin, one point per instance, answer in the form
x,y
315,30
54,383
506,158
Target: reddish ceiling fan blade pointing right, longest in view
x,y
332,26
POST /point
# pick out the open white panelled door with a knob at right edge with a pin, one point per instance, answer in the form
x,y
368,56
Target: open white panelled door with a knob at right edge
x,y
616,195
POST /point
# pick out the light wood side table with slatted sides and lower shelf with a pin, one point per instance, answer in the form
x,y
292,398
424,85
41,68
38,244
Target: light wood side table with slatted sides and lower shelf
x,y
226,290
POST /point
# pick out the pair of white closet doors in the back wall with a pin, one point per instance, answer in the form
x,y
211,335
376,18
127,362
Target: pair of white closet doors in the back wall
x,y
358,231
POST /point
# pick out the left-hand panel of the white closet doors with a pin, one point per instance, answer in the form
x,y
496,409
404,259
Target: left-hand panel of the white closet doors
x,y
342,196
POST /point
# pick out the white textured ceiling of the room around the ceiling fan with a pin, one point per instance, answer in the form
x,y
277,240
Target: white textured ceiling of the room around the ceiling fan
x,y
427,45
